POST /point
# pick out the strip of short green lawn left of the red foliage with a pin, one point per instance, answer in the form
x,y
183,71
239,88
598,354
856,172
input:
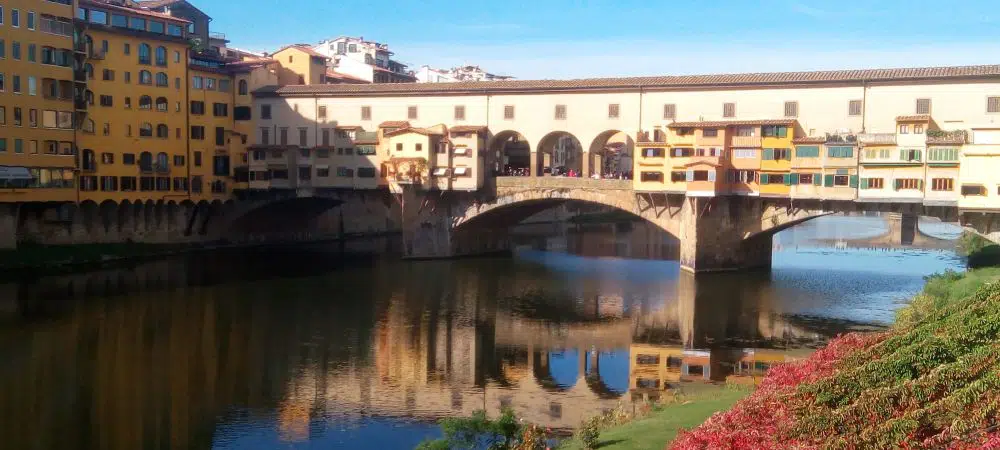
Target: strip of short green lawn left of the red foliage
x,y
659,428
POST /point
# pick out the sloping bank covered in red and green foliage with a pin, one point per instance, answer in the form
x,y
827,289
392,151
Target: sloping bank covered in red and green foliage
x,y
931,381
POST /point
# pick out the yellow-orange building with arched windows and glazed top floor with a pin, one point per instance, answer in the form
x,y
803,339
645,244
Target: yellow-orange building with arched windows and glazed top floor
x,y
133,137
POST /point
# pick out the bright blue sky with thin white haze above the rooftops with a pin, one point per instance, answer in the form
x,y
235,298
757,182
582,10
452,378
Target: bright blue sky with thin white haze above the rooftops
x,y
561,39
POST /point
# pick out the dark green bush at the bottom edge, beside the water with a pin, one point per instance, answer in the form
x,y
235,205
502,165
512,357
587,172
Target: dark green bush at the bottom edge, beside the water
x,y
478,431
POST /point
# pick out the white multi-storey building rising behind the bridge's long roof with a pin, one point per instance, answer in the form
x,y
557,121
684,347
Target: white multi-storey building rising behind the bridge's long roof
x,y
359,59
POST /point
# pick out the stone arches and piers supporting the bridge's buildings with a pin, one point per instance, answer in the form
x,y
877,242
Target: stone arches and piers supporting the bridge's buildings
x,y
716,233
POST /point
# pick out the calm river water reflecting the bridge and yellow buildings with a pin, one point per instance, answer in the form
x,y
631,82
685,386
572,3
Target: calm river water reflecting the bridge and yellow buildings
x,y
312,348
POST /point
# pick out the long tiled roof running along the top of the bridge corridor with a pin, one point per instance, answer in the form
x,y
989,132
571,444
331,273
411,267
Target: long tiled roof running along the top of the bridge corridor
x,y
651,82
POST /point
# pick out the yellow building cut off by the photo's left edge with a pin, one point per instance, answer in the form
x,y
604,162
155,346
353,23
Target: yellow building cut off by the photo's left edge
x,y
37,101
